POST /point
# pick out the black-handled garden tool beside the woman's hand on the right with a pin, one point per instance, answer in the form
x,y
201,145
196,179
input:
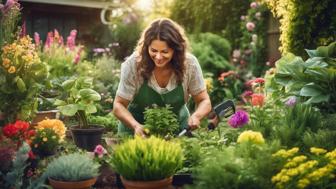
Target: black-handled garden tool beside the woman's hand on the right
x,y
223,109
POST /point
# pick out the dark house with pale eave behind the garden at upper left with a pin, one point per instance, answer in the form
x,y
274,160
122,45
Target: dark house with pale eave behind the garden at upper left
x,y
42,16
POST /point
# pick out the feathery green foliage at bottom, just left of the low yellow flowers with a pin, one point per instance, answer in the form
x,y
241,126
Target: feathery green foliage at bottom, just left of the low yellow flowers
x,y
243,166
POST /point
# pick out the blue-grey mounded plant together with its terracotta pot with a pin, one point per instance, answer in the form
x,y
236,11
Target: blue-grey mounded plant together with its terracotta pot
x,y
72,171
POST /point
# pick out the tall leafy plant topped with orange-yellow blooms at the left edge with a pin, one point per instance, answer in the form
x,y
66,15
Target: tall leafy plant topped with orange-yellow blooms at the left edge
x,y
22,75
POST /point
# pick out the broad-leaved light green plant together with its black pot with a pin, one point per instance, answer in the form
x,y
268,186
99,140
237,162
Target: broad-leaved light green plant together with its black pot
x,y
79,100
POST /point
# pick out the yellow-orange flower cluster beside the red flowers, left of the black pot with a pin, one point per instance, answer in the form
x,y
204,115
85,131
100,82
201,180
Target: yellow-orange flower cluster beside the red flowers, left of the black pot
x,y
54,124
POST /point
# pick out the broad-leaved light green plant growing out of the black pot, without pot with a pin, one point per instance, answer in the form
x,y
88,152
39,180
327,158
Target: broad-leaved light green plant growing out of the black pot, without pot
x,y
79,99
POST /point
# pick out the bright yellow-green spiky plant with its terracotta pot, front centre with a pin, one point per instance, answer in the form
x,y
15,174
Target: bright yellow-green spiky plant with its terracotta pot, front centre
x,y
147,163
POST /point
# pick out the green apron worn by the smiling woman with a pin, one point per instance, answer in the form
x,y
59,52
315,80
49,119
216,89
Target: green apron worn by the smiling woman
x,y
147,97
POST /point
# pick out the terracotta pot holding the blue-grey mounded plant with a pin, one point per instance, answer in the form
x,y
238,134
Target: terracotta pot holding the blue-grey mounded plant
x,y
85,184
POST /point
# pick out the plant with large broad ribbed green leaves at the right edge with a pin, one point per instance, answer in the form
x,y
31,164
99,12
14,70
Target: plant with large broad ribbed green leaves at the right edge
x,y
313,80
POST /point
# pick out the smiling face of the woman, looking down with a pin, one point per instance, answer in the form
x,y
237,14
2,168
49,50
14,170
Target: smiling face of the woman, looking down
x,y
160,53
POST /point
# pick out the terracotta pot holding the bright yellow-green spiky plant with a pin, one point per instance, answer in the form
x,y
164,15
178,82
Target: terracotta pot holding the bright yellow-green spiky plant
x,y
158,184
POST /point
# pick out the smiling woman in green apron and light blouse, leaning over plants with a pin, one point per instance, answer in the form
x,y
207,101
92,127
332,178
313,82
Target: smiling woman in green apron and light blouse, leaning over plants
x,y
160,72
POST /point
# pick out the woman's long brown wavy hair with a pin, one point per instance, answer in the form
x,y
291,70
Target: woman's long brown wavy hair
x,y
166,30
